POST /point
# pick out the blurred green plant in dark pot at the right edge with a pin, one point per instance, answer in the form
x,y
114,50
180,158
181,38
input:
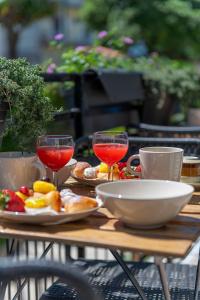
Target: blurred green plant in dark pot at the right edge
x,y
170,85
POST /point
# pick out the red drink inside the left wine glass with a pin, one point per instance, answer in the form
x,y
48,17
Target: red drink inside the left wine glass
x,y
55,157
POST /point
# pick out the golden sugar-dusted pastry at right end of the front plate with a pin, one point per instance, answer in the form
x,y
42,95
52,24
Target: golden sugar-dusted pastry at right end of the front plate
x,y
83,203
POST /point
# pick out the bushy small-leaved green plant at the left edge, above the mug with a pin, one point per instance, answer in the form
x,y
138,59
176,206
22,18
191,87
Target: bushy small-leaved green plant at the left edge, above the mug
x,y
28,111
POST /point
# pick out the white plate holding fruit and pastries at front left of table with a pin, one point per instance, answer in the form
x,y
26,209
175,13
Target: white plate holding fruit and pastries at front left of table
x,y
46,218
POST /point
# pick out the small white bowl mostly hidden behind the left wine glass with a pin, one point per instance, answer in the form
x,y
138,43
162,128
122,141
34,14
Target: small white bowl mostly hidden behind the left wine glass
x,y
64,173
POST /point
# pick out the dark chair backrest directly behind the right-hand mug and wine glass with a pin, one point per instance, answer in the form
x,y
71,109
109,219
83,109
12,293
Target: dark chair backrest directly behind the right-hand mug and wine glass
x,y
191,146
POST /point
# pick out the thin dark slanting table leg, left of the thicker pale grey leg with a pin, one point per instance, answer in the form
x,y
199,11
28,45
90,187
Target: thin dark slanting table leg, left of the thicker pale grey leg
x,y
128,273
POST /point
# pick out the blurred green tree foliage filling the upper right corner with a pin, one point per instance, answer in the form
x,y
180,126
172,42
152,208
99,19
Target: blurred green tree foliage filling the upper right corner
x,y
171,27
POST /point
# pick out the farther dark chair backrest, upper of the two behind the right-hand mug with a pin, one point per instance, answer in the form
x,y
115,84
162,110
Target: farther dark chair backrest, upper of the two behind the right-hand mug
x,y
149,130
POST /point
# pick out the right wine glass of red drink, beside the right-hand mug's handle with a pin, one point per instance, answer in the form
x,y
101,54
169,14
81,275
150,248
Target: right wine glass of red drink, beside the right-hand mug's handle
x,y
110,147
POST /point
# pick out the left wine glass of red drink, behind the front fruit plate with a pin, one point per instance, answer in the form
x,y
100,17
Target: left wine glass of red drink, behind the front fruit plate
x,y
55,151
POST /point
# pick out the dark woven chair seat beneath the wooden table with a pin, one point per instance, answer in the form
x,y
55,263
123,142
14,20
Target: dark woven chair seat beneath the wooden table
x,y
109,279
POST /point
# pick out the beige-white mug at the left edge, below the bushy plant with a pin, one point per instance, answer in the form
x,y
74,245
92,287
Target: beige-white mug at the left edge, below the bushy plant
x,y
18,169
